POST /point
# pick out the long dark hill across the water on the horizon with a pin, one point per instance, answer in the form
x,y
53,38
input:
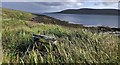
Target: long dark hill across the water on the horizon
x,y
91,11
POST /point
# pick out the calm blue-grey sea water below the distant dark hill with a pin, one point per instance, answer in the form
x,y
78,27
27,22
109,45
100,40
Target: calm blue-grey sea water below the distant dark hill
x,y
88,20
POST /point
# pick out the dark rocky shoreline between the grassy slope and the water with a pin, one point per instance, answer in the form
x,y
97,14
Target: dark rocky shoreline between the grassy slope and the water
x,y
41,18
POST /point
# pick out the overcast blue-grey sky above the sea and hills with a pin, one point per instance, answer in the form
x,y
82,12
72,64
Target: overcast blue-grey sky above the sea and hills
x,y
42,7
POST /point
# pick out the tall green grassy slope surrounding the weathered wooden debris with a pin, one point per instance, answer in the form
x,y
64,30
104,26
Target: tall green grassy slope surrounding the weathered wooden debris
x,y
75,45
